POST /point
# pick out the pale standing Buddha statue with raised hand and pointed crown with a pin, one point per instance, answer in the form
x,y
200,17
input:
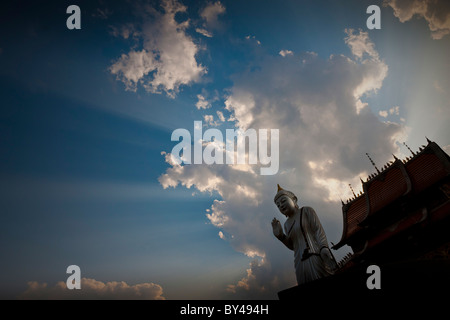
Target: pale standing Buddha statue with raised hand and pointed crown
x,y
304,234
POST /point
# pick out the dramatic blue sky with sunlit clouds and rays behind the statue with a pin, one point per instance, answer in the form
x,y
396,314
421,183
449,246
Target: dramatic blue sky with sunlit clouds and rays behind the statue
x,y
86,118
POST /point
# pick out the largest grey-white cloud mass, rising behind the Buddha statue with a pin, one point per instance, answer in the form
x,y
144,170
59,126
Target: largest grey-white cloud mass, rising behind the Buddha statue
x,y
325,130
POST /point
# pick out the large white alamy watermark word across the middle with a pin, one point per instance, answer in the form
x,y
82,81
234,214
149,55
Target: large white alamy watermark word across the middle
x,y
210,147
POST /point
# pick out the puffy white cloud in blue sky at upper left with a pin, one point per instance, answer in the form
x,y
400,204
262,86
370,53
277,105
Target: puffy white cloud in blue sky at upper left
x,y
168,57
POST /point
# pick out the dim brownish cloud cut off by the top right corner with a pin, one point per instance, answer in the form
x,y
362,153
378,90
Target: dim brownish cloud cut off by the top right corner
x,y
435,12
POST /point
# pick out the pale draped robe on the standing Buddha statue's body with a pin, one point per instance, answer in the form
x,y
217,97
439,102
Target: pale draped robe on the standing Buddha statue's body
x,y
314,266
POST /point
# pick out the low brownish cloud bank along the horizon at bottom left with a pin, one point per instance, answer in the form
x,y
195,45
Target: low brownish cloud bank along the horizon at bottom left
x,y
92,289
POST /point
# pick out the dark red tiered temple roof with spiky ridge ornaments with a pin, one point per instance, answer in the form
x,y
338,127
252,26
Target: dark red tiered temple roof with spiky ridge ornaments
x,y
397,179
